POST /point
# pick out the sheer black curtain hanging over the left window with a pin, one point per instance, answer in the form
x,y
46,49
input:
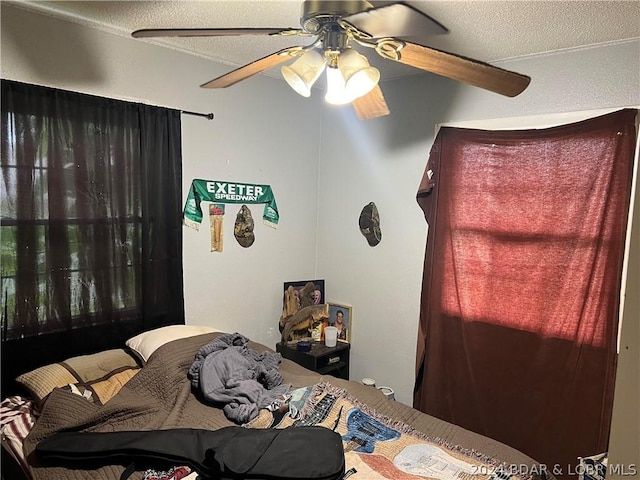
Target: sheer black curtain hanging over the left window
x,y
91,225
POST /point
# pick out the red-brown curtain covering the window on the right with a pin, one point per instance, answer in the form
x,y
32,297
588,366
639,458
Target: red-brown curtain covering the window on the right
x,y
521,286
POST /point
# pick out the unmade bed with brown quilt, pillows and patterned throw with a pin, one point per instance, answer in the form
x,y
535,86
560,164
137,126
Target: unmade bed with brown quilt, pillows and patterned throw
x,y
146,386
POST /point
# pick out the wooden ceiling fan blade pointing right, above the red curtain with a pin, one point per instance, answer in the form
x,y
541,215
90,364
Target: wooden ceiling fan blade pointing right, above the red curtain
x,y
460,68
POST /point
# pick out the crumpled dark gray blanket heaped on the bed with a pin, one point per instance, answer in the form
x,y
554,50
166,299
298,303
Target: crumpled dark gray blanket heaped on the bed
x,y
226,371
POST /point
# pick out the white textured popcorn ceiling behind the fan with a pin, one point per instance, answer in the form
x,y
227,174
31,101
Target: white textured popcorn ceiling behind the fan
x,y
481,29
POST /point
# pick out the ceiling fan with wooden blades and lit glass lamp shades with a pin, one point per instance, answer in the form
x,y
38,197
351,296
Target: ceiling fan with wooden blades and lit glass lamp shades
x,y
340,25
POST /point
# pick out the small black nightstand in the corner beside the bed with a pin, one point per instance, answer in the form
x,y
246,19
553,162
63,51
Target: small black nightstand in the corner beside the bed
x,y
322,359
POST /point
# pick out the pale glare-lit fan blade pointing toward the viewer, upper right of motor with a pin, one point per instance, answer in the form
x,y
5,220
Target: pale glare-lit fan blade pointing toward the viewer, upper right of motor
x,y
395,20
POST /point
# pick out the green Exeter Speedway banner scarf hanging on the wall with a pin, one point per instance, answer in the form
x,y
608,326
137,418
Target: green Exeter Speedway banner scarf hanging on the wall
x,y
228,192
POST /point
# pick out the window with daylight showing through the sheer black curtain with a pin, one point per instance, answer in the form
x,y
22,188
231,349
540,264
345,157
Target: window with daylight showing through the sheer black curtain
x,y
61,245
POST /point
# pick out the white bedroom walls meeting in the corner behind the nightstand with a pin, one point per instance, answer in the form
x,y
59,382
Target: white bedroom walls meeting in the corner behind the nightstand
x,y
324,167
